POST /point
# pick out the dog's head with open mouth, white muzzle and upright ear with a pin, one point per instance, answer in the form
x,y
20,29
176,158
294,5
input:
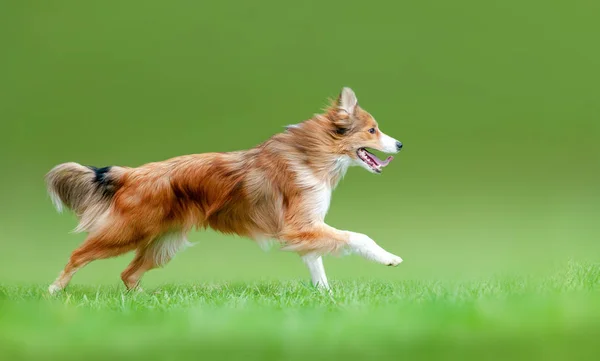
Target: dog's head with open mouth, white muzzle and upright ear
x,y
356,130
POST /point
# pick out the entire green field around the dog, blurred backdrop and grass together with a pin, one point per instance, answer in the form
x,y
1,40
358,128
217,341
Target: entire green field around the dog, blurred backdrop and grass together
x,y
493,203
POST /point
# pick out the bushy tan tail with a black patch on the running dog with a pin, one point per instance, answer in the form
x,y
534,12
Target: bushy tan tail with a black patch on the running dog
x,y
88,191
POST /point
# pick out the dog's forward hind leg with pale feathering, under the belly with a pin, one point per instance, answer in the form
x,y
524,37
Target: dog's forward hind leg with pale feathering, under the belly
x,y
160,251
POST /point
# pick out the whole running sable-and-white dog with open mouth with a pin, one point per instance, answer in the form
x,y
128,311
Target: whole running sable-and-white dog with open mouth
x,y
278,191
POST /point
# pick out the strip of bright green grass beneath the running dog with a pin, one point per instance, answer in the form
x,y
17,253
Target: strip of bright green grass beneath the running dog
x,y
552,317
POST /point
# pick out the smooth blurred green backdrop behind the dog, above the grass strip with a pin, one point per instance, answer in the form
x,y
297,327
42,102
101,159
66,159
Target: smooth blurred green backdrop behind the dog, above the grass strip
x,y
495,101
